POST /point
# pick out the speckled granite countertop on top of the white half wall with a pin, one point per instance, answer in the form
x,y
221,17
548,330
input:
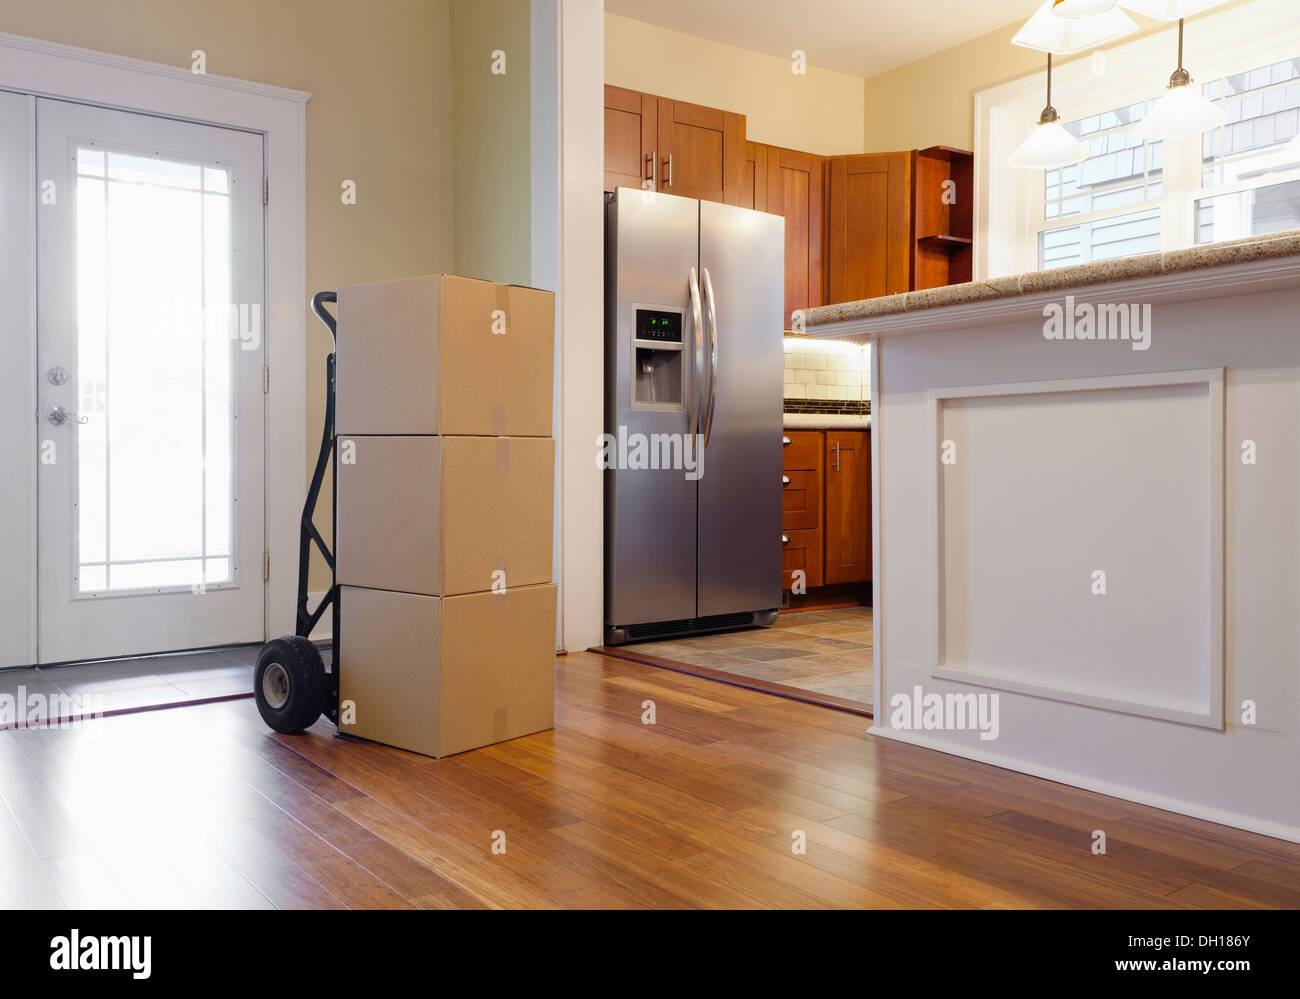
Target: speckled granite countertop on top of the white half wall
x,y
1129,269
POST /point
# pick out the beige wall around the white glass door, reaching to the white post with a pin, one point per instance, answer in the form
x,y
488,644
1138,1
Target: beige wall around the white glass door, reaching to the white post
x,y
382,115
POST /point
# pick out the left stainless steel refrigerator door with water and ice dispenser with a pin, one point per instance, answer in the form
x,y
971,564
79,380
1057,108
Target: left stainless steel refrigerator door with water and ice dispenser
x,y
652,246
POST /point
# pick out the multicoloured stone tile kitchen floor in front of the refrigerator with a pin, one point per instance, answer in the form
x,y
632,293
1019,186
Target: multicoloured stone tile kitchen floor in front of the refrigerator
x,y
821,651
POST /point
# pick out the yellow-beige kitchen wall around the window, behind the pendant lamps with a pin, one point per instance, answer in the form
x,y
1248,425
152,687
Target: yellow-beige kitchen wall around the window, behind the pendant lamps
x,y
933,102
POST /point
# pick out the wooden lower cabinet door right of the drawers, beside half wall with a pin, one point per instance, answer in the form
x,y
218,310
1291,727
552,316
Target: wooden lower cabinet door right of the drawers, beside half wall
x,y
848,507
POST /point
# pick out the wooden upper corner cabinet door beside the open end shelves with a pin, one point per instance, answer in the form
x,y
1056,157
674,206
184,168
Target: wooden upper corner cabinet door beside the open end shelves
x,y
869,223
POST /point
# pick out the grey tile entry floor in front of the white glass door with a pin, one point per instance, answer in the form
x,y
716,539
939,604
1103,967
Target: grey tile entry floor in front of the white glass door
x,y
146,682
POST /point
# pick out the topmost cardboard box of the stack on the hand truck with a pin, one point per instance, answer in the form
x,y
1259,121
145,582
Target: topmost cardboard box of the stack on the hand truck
x,y
445,356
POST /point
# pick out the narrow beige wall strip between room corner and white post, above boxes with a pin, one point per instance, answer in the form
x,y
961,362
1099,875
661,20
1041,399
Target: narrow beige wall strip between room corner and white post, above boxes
x,y
492,140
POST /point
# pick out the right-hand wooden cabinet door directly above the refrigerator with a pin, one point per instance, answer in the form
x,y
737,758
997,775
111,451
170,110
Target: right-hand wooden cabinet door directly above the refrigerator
x,y
701,152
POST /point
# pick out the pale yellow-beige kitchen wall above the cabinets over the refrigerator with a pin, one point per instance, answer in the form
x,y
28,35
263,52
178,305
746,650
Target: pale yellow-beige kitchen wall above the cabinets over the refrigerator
x,y
820,113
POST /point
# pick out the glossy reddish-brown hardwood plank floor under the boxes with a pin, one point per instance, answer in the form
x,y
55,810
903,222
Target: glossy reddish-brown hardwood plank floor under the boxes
x,y
206,807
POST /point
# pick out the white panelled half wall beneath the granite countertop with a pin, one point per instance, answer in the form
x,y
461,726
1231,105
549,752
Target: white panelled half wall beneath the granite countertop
x,y
1022,544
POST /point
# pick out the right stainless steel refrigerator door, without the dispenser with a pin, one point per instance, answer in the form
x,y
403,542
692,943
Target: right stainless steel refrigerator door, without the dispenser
x,y
740,492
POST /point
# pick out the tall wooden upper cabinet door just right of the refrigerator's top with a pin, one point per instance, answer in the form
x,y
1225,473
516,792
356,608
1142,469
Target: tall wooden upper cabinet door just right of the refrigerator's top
x,y
795,191
